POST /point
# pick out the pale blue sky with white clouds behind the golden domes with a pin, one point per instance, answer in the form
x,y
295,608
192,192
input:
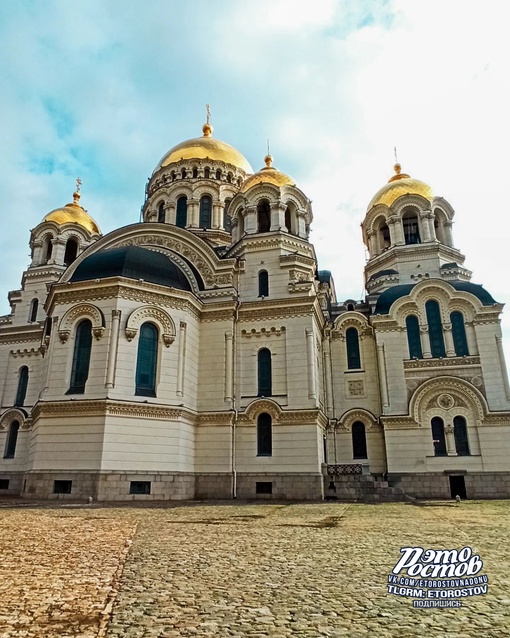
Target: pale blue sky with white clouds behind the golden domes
x,y
101,89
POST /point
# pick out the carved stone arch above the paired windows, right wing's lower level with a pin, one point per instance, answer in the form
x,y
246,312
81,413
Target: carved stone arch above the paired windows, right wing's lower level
x,y
442,394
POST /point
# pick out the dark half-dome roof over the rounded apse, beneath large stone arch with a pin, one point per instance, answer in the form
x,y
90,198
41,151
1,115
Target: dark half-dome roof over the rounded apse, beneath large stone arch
x,y
132,262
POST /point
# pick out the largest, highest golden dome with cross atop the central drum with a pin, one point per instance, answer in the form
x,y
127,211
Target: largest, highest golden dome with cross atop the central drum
x,y
206,147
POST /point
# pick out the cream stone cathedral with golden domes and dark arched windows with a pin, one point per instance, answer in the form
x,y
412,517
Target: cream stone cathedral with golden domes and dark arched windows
x,y
202,353
